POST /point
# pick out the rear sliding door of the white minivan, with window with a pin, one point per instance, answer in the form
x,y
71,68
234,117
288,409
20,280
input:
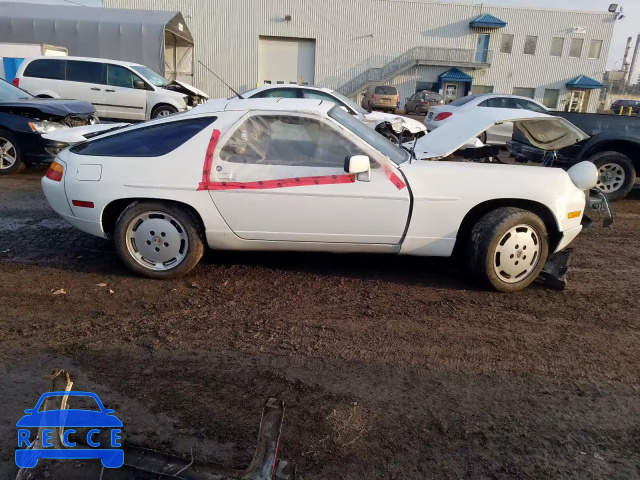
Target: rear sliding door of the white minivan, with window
x,y
84,81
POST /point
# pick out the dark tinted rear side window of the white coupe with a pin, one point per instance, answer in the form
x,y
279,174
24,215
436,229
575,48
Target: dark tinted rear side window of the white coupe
x,y
153,141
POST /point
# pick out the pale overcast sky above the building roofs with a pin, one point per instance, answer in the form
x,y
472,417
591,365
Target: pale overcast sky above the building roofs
x,y
628,27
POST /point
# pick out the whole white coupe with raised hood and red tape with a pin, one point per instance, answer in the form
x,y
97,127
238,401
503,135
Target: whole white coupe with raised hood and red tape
x,y
296,174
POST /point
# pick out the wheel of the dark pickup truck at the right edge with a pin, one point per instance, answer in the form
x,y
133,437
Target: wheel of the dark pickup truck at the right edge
x,y
616,174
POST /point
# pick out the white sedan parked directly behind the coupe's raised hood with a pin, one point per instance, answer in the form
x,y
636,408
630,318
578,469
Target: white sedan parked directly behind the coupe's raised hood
x,y
498,135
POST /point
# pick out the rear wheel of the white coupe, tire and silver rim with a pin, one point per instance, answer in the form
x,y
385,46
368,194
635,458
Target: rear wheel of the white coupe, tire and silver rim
x,y
174,235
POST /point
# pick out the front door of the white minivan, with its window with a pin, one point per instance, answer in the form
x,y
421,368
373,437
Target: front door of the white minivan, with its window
x,y
122,99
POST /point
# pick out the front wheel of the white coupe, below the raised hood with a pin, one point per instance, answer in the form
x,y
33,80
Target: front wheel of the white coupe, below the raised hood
x,y
500,232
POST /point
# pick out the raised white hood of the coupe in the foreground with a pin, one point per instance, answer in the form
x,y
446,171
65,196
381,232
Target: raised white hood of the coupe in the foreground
x,y
543,131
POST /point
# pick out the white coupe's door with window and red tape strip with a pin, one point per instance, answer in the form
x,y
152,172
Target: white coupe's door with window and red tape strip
x,y
280,177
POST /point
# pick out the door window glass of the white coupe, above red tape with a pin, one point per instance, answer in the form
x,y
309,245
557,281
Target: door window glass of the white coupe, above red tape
x,y
288,140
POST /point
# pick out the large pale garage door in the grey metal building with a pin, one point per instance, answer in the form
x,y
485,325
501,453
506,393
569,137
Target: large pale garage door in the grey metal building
x,y
286,60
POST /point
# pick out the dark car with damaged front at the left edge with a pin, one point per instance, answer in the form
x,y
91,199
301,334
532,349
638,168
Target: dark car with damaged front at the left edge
x,y
23,120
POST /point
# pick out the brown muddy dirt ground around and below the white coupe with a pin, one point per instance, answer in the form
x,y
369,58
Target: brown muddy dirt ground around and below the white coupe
x,y
390,367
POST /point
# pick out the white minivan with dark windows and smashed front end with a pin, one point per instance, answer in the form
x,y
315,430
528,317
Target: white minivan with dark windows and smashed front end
x,y
119,90
